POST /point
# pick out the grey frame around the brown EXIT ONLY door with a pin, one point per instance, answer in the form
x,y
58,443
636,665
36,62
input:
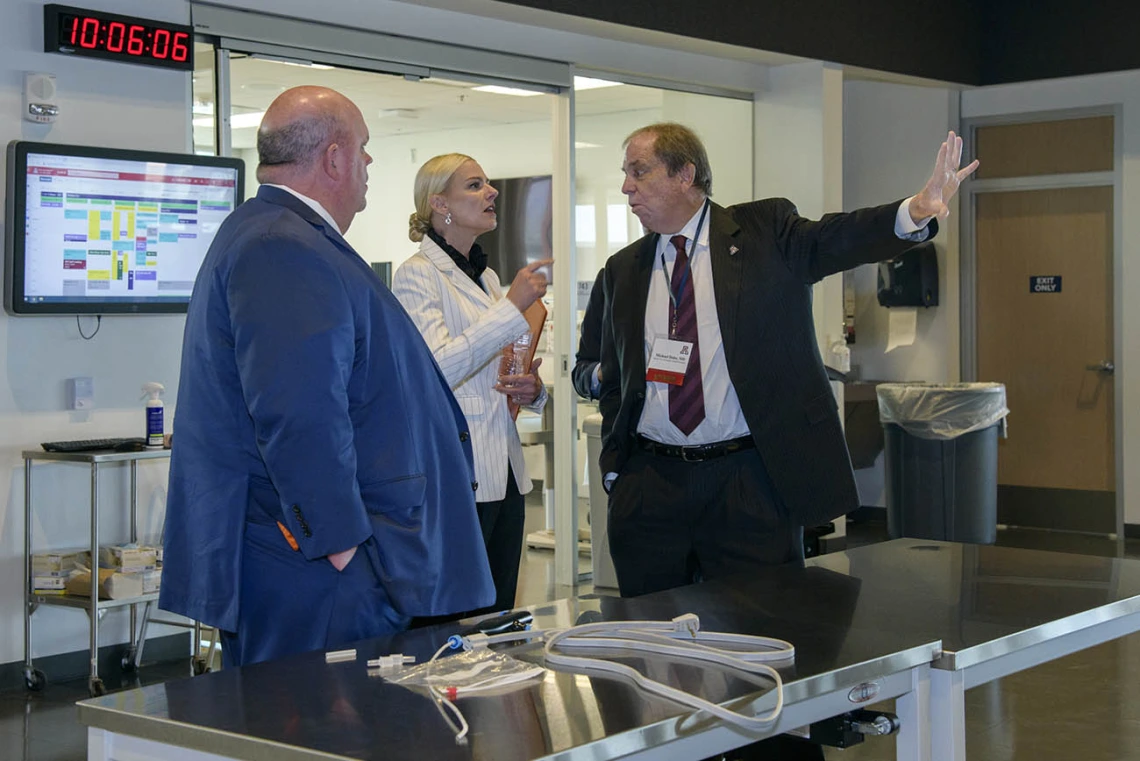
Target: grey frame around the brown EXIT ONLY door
x,y
968,253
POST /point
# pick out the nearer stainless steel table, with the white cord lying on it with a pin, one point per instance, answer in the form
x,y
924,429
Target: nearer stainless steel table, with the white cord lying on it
x,y
303,709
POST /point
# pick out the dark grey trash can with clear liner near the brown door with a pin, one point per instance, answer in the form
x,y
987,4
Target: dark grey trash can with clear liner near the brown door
x,y
941,447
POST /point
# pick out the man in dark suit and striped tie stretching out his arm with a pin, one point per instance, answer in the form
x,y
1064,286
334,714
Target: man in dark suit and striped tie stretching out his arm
x,y
721,435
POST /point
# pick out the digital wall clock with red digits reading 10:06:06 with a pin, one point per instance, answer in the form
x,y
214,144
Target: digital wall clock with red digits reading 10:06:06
x,y
113,37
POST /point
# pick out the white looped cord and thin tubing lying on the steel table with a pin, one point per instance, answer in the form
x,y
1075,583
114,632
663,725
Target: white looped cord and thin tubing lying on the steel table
x,y
680,640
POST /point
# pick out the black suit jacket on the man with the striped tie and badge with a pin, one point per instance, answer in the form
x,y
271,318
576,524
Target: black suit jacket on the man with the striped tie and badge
x,y
764,306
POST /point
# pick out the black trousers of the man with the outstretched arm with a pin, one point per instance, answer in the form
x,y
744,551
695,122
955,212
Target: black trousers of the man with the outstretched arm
x,y
673,523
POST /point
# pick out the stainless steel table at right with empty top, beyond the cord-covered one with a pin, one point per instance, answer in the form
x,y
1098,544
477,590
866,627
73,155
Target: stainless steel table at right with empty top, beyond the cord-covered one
x,y
997,611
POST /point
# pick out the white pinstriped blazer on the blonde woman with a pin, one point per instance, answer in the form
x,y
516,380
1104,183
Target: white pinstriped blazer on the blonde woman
x,y
467,330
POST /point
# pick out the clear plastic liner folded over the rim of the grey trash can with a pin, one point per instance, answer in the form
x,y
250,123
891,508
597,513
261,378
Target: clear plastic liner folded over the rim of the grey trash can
x,y
942,411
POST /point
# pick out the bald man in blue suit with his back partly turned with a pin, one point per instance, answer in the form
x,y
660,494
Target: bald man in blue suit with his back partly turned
x,y
321,487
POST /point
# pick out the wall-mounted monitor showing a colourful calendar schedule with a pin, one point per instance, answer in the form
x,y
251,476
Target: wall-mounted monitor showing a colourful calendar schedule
x,y
109,232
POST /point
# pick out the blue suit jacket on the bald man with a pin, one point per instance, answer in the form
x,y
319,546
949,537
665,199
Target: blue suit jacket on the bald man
x,y
308,397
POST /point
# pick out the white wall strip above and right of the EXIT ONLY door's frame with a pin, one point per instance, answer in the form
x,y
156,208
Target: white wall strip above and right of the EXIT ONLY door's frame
x,y
1112,91
